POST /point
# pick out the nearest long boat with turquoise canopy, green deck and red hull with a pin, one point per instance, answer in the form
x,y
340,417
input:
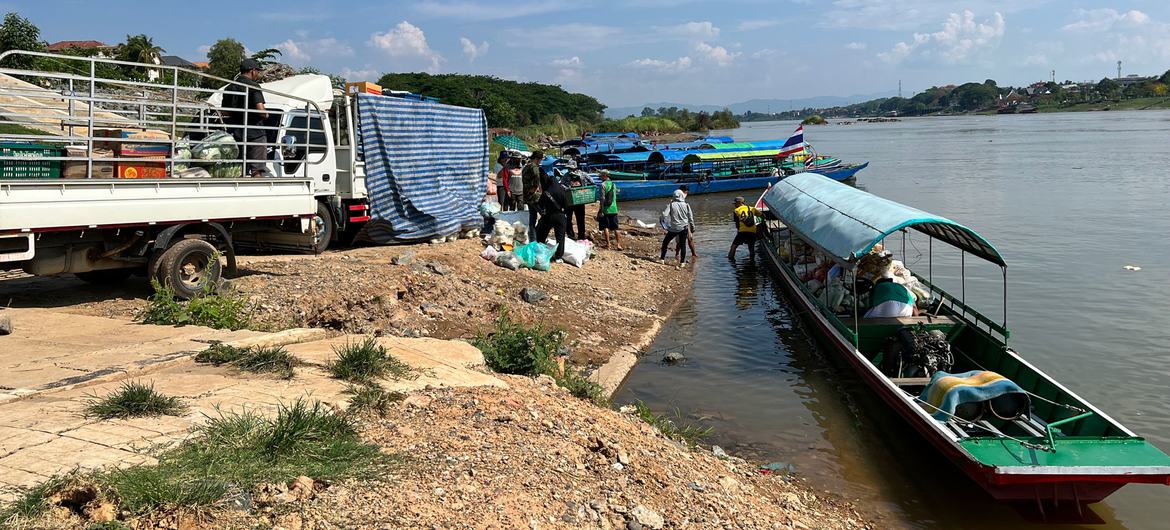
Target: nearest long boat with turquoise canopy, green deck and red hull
x,y
1034,442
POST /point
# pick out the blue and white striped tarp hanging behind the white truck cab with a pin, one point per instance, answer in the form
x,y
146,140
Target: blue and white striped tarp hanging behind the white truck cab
x,y
426,168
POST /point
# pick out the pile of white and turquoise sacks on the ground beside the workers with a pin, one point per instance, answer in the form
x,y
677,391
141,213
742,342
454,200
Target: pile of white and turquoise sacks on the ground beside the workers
x,y
511,246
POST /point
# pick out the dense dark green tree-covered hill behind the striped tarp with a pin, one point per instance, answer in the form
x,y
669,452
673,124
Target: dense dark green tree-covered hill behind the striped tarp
x,y
506,104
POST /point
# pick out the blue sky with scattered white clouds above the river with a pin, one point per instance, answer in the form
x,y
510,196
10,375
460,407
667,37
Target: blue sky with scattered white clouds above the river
x,y
635,52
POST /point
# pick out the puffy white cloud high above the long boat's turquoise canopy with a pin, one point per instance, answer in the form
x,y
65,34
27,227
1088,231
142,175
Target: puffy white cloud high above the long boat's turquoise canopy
x,y
959,42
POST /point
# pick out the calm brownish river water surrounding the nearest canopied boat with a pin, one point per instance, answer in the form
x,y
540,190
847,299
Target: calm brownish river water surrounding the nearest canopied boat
x,y
1069,199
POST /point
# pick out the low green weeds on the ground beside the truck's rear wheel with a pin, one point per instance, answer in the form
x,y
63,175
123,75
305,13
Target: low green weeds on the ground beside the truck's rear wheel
x,y
209,309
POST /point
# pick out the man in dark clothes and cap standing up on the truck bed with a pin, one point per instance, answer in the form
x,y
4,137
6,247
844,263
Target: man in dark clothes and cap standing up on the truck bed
x,y
243,123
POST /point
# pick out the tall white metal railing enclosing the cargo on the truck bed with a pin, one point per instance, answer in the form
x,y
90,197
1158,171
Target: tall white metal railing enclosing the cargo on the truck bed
x,y
129,120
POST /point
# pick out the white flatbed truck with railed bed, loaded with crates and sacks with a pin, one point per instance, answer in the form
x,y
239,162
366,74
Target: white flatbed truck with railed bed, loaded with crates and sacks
x,y
93,215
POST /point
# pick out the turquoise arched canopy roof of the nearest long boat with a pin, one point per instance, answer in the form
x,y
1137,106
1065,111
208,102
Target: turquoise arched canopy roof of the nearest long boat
x,y
848,223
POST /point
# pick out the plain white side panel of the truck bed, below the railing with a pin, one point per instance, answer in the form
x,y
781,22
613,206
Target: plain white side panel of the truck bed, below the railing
x,y
68,204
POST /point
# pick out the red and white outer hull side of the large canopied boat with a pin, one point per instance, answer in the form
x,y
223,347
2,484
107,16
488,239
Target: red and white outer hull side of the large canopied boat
x,y
1041,485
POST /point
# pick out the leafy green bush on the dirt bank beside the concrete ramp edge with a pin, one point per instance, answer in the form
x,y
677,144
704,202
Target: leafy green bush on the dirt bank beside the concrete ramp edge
x,y
515,348
